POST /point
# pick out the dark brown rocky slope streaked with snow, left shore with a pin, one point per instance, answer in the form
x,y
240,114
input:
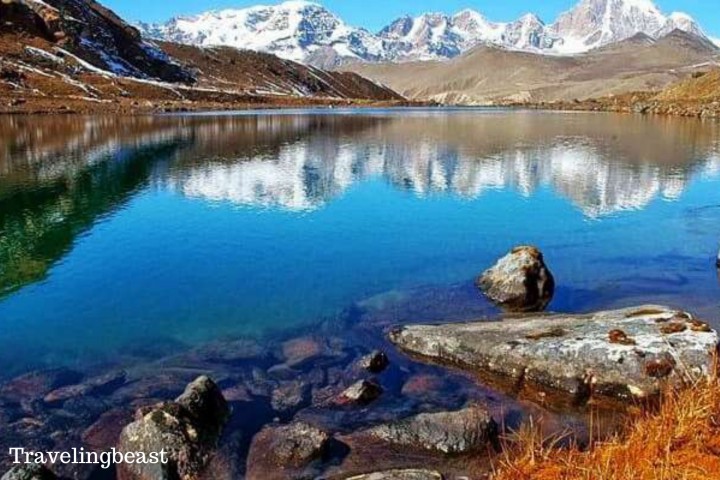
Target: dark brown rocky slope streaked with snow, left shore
x,y
77,55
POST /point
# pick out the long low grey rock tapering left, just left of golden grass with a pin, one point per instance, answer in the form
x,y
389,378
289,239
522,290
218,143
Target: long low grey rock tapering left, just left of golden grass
x,y
461,431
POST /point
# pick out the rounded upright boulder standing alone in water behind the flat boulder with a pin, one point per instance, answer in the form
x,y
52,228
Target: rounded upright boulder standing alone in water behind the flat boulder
x,y
519,282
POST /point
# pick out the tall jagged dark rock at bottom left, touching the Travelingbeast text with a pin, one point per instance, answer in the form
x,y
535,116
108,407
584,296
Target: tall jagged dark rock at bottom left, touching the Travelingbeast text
x,y
187,429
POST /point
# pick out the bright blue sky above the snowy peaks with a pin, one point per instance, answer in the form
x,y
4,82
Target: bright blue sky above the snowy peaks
x,y
374,14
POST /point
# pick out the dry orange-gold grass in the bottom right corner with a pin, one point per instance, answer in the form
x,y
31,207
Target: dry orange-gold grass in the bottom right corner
x,y
678,441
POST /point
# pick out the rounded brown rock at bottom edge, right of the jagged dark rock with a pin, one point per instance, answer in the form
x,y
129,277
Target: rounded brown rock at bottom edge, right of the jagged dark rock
x,y
291,446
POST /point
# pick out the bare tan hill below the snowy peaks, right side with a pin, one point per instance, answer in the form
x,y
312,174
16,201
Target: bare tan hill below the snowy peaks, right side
x,y
491,75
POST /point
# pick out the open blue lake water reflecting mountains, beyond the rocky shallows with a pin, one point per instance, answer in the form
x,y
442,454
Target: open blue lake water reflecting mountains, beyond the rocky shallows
x,y
121,237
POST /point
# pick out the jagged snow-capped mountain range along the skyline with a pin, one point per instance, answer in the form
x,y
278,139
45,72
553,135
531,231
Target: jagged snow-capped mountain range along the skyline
x,y
305,31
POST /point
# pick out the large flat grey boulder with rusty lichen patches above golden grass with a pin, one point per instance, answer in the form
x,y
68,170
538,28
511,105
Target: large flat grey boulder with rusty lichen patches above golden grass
x,y
624,353
